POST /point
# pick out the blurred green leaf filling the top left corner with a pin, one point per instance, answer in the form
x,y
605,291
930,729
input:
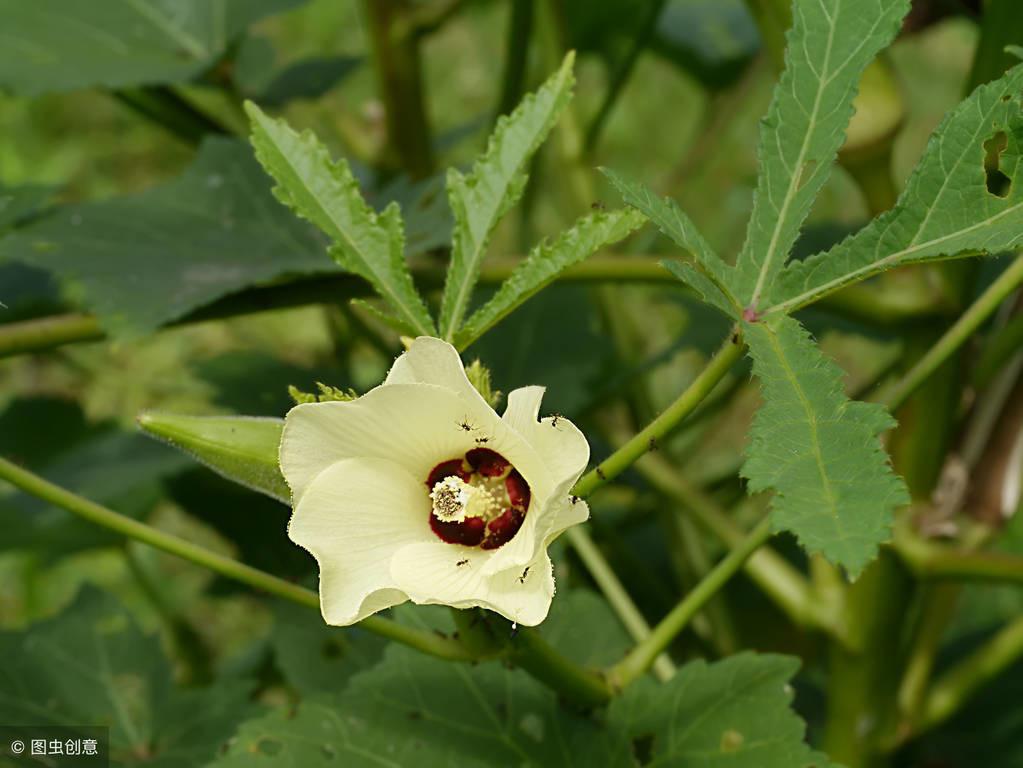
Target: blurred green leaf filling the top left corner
x,y
61,46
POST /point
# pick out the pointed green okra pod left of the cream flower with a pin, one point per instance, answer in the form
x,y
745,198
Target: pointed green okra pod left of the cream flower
x,y
244,449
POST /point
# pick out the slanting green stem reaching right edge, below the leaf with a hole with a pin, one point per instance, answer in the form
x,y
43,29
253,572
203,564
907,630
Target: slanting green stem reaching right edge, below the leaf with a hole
x,y
956,337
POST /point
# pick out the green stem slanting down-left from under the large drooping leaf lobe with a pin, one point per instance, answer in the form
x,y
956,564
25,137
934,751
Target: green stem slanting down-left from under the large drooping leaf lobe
x,y
643,656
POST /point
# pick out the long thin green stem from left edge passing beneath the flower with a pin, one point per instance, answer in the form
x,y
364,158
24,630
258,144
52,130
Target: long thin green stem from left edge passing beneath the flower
x,y
428,643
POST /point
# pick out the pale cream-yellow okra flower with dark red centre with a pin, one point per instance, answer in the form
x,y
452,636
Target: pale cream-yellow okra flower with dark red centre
x,y
419,490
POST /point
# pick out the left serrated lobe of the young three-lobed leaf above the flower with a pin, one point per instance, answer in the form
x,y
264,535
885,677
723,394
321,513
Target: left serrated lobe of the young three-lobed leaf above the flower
x,y
327,194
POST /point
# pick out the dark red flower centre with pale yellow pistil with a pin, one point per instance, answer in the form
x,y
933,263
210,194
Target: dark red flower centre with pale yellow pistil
x,y
479,501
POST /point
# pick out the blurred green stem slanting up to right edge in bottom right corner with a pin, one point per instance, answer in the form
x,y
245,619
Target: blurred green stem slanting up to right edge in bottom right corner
x,y
954,689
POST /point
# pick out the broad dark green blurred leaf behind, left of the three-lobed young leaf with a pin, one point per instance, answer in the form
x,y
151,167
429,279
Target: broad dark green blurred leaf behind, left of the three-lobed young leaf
x,y
146,260
